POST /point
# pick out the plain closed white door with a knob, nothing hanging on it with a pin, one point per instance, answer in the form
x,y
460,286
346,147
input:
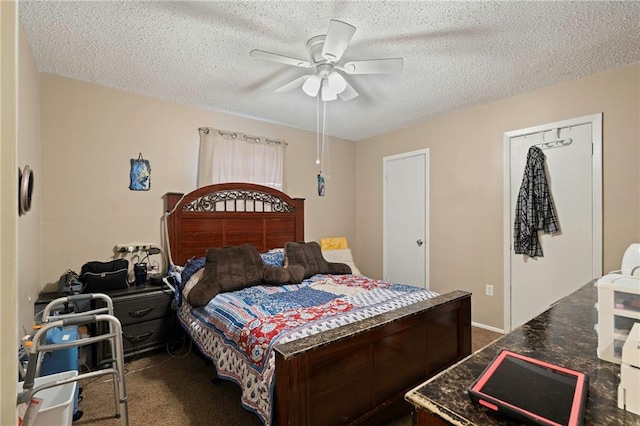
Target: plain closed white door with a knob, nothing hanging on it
x,y
406,221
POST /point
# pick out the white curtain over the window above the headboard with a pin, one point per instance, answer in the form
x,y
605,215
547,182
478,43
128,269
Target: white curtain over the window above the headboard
x,y
223,158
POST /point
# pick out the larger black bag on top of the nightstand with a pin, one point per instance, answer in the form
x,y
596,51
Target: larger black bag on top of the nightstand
x,y
99,277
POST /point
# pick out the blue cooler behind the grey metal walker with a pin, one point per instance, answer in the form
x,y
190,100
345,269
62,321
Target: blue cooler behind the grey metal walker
x,y
62,360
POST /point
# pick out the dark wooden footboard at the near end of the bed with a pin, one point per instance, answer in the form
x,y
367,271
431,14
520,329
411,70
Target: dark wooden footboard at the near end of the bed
x,y
350,374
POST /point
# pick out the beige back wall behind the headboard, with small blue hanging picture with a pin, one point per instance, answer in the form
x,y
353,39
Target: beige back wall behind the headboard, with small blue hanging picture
x,y
89,134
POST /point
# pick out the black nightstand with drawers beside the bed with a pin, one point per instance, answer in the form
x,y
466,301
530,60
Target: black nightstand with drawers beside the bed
x,y
148,322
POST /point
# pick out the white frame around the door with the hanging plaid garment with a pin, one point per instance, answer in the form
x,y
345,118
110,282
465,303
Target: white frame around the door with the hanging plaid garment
x,y
596,186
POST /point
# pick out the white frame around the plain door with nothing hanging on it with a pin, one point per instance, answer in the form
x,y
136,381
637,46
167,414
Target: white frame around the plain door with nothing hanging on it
x,y
427,214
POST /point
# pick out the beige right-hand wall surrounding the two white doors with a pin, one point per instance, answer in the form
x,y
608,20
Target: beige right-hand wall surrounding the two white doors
x,y
466,153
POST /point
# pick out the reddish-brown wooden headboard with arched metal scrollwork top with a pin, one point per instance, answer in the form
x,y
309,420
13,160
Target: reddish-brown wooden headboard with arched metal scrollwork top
x,y
231,214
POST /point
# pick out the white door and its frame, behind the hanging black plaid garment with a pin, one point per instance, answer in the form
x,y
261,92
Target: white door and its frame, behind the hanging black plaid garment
x,y
573,256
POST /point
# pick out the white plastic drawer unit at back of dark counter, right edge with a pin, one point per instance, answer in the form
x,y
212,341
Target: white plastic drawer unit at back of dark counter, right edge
x,y
618,310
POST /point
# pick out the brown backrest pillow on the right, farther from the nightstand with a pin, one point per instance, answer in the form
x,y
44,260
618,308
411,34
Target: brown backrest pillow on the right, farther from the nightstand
x,y
309,255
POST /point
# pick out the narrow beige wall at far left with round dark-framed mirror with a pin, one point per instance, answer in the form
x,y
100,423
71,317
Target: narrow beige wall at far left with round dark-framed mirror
x,y
29,225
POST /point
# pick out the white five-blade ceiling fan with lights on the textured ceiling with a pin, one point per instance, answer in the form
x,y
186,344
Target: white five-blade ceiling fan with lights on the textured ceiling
x,y
325,52
